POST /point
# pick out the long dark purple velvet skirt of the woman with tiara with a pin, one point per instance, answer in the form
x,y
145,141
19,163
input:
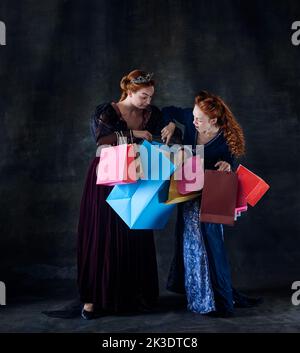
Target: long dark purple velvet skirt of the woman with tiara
x,y
117,268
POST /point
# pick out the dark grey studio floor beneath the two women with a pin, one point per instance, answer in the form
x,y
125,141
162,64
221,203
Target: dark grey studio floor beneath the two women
x,y
24,314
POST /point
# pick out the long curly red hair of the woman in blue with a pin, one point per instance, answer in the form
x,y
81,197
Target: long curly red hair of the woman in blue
x,y
215,108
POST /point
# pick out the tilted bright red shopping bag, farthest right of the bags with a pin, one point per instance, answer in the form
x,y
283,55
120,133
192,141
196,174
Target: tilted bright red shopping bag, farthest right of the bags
x,y
252,186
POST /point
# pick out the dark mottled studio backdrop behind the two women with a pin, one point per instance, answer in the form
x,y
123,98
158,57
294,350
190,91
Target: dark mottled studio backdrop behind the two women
x,y
64,57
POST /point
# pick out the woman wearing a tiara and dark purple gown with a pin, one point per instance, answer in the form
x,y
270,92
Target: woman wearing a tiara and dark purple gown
x,y
117,269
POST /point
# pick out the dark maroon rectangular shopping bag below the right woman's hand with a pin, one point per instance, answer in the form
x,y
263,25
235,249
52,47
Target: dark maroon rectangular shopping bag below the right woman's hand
x,y
219,197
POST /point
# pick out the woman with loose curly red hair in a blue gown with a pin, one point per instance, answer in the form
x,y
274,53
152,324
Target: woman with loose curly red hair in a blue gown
x,y
200,267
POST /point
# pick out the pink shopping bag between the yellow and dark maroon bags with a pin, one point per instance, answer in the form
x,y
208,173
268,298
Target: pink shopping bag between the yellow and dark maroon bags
x,y
190,176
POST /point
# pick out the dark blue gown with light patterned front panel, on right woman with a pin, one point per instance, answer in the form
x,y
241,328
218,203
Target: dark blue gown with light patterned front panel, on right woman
x,y
189,272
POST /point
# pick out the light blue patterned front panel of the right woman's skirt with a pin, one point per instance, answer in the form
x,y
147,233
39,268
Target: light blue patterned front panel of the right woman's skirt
x,y
197,282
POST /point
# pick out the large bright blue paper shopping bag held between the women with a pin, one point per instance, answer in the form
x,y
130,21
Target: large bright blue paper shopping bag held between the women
x,y
141,205
